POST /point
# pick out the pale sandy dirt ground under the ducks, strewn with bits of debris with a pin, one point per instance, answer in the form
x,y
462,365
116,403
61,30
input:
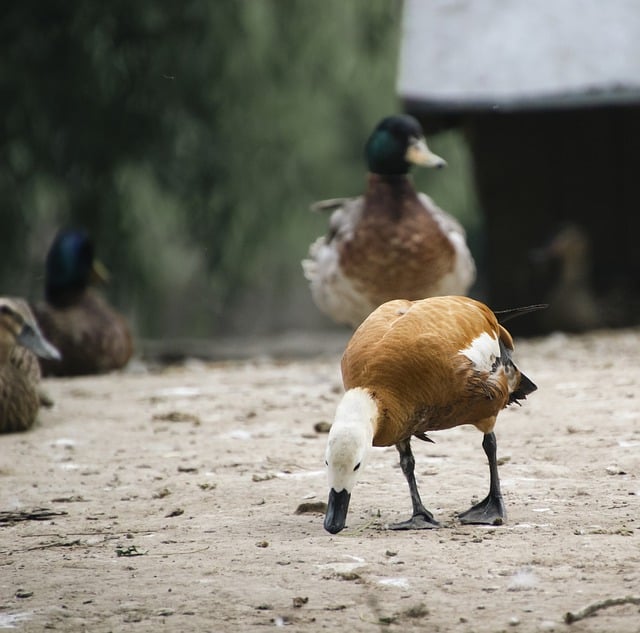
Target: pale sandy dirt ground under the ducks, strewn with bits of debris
x,y
177,491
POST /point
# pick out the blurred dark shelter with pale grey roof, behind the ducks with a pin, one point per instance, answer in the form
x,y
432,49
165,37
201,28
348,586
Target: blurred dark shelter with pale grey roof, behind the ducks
x,y
548,97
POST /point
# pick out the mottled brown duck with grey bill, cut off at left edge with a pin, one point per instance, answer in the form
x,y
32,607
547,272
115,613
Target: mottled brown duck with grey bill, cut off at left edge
x,y
20,339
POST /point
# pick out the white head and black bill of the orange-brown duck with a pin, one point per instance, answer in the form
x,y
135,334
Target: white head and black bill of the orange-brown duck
x,y
347,450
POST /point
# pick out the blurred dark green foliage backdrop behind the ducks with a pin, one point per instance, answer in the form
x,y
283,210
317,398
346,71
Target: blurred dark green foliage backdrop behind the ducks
x,y
189,139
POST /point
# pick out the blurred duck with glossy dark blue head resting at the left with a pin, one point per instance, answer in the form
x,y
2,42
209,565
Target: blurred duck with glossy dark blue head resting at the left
x,y
91,336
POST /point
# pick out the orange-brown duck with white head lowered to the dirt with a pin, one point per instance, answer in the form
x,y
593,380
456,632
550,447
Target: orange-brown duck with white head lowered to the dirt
x,y
416,367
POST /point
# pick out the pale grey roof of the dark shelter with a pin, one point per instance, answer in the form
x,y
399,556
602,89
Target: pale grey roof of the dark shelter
x,y
462,55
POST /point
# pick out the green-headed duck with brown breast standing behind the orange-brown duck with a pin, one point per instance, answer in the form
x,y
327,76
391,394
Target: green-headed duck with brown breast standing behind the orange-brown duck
x,y
392,242
